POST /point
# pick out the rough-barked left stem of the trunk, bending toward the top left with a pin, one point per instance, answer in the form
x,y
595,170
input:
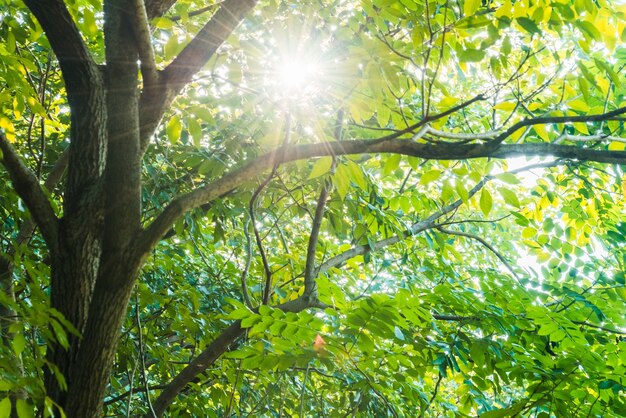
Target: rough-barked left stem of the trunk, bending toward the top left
x,y
76,258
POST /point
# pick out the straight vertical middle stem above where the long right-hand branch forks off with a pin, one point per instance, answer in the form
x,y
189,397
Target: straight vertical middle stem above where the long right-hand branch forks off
x,y
122,177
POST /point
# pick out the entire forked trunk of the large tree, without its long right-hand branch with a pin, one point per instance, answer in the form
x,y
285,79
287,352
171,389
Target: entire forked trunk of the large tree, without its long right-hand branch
x,y
93,260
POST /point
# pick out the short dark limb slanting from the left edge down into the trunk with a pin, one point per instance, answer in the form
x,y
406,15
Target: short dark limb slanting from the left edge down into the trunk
x,y
28,188
